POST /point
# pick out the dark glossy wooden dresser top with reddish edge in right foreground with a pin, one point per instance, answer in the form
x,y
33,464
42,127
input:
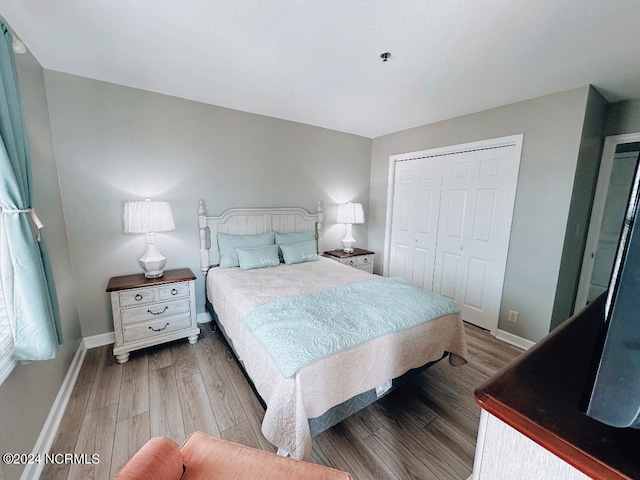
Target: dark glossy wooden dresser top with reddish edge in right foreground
x,y
541,393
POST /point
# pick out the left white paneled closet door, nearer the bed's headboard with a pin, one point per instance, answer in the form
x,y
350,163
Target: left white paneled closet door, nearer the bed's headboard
x,y
415,220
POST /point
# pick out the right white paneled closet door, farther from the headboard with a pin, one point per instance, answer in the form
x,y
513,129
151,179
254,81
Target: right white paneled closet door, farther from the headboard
x,y
478,192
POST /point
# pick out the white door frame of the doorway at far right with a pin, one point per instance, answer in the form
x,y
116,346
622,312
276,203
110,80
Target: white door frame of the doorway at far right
x,y
597,212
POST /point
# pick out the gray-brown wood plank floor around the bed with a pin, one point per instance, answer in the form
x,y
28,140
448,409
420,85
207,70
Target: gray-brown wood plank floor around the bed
x,y
424,430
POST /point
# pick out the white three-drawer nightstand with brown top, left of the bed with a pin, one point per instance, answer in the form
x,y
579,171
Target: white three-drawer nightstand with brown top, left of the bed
x,y
150,311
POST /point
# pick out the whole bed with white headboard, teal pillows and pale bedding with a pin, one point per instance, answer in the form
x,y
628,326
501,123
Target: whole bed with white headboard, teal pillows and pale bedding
x,y
302,399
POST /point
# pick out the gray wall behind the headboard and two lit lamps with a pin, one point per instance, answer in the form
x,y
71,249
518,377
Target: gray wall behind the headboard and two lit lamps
x,y
116,143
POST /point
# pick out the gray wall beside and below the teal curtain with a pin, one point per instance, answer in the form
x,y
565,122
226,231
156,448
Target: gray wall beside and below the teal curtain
x,y
29,392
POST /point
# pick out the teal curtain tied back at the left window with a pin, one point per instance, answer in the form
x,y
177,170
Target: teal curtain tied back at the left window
x,y
26,270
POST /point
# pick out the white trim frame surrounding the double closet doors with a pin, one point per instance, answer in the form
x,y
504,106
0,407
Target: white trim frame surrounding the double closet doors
x,y
515,140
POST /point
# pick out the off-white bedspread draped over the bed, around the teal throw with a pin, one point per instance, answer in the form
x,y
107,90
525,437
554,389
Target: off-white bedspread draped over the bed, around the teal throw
x,y
317,387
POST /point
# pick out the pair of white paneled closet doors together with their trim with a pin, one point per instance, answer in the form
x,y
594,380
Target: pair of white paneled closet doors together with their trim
x,y
449,222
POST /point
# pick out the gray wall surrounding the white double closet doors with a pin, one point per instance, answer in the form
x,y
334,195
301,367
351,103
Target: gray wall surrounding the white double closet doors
x,y
552,127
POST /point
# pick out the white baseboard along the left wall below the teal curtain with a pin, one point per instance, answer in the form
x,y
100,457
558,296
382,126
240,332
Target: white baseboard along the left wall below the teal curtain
x,y
52,423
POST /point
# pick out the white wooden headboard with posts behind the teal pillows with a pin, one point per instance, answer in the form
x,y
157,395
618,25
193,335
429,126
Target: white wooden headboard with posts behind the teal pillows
x,y
251,221
